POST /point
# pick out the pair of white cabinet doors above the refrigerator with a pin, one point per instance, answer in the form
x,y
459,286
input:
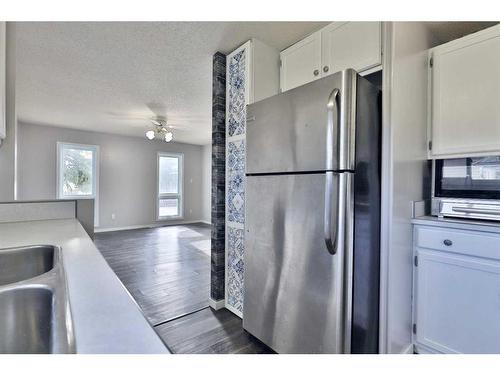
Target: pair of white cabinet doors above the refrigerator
x,y
338,46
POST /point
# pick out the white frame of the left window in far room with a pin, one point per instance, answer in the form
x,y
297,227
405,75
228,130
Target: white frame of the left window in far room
x,y
95,171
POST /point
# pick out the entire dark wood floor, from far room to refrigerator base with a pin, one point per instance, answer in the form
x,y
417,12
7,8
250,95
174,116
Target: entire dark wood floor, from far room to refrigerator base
x,y
167,271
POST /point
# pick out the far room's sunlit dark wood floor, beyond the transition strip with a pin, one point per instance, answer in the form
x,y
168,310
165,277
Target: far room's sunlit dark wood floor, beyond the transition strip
x,y
165,269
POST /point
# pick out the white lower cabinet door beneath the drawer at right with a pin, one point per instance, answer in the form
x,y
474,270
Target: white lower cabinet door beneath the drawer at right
x,y
457,303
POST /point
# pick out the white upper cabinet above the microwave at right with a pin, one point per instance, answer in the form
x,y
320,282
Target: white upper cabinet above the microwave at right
x,y
464,96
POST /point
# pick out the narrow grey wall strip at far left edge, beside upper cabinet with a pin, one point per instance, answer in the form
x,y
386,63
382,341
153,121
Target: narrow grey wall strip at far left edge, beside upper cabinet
x,y
8,145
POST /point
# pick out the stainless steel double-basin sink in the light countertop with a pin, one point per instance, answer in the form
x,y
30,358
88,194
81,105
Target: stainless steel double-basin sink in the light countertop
x,y
35,314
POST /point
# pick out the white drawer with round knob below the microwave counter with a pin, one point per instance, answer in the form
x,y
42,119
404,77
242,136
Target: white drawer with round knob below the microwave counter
x,y
480,244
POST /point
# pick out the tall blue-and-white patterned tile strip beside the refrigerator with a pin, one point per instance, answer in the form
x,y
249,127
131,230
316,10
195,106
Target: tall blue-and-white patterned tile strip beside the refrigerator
x,y
235,177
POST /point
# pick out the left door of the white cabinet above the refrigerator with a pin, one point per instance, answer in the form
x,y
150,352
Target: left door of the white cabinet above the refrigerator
x,y
301,63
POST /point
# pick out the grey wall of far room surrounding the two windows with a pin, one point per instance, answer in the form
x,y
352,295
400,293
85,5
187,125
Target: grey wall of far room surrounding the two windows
x,y
127,181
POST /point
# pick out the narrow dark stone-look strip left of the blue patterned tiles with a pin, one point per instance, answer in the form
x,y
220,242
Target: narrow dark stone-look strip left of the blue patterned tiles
x,y
217,271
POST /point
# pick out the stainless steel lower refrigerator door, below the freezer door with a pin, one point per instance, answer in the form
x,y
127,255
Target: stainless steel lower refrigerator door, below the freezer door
x,y
295,289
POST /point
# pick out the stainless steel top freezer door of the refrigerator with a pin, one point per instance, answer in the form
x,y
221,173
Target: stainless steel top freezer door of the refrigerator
x,y
288,132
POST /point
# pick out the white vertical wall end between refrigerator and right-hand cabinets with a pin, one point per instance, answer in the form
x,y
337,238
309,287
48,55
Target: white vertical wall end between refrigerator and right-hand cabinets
x,y
404,163
